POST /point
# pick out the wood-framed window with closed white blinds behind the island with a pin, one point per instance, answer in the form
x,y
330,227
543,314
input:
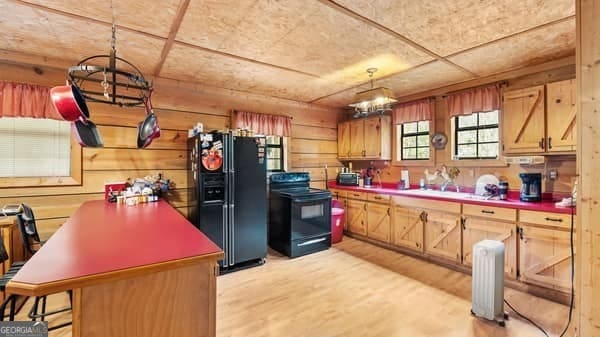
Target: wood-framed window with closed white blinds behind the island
x,y
37,152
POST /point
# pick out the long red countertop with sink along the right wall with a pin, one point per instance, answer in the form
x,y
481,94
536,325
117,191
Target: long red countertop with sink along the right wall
x,y
512,202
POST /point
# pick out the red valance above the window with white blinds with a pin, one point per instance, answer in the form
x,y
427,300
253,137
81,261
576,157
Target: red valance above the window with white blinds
x,y
26,100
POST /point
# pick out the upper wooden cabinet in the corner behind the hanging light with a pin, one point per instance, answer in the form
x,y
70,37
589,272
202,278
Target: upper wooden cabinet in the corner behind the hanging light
x,y
366,138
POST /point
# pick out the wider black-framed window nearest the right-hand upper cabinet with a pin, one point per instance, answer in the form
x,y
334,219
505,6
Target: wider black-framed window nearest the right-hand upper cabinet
x,y
476,136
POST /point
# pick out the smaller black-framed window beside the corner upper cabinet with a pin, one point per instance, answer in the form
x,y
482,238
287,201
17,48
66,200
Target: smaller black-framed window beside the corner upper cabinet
x,y
414,140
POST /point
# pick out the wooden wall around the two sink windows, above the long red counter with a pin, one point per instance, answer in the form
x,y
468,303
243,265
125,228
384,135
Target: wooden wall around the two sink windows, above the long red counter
x,y
565,166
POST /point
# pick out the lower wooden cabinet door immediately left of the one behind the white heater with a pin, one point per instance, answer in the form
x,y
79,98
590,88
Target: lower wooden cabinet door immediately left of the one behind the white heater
x,y
442,235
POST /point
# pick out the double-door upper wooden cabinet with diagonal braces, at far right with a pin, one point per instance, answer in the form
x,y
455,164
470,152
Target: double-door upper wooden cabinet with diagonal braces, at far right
x,y
540,120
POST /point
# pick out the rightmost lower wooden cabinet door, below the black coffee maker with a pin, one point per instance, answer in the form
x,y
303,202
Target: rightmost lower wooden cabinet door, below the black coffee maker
x,y
545,257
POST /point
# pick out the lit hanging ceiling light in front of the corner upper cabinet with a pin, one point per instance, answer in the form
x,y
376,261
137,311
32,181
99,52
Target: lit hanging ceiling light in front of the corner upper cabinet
x,y
374,100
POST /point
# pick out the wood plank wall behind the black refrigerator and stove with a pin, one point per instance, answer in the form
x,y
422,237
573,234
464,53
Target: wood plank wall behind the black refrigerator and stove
x,y
178,106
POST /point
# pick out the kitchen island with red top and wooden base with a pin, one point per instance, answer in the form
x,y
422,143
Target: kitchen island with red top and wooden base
x,y
134,270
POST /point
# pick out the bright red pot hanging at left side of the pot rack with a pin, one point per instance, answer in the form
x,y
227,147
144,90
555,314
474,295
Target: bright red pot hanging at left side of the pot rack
x,y
70,103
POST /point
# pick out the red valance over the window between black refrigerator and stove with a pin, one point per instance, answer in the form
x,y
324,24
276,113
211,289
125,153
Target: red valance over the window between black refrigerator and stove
x,y
270,125
